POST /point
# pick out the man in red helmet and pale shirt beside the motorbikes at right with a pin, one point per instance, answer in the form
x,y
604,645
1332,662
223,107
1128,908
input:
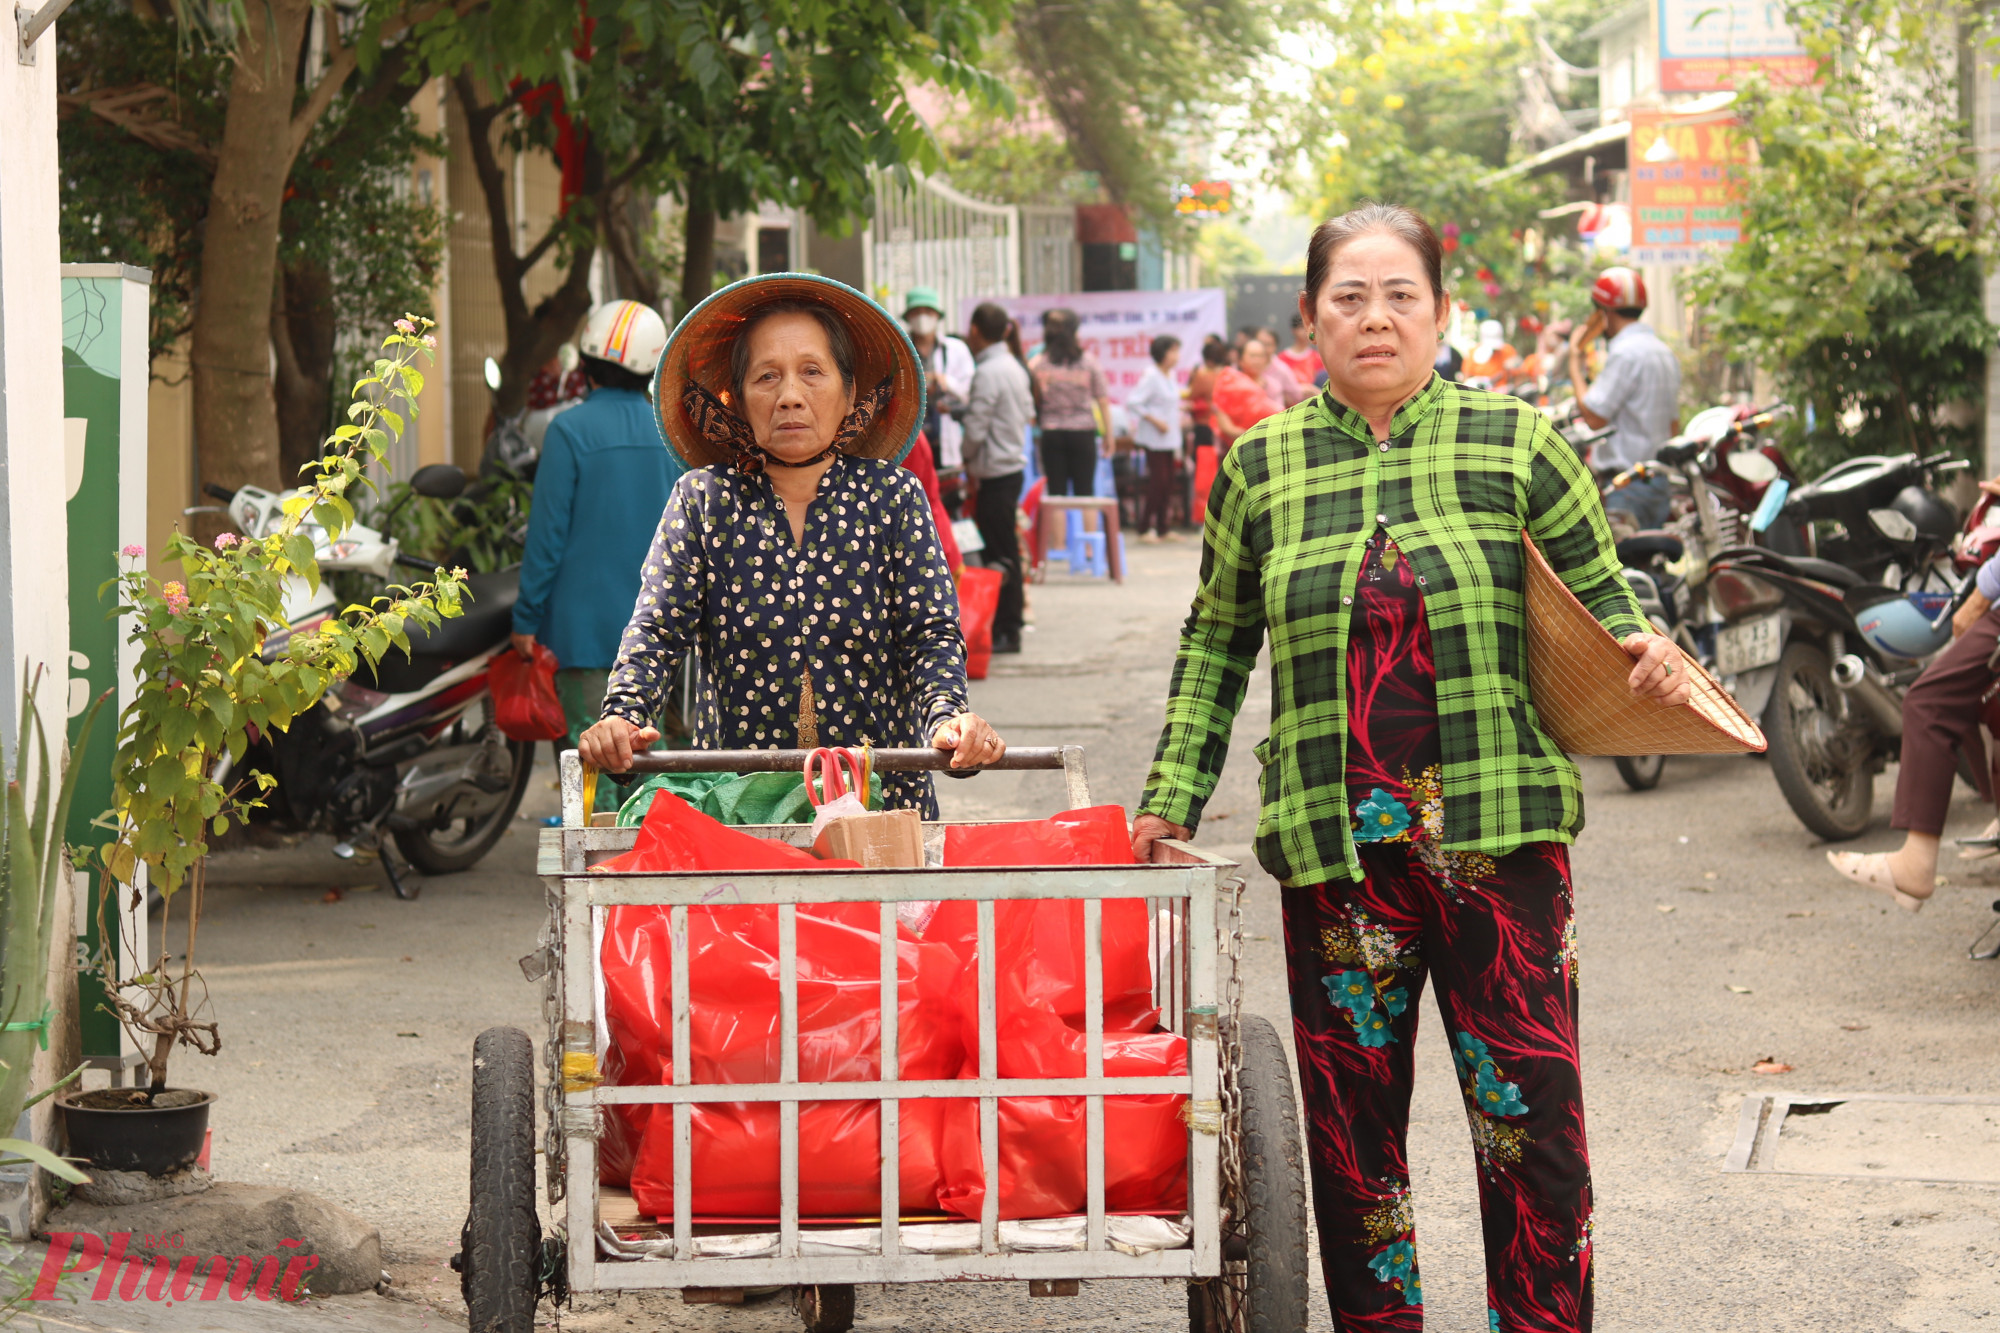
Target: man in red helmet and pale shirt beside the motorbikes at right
x,y
1637,395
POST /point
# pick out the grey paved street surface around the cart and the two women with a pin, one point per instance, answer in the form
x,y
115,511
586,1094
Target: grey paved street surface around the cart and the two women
x,y
1713,938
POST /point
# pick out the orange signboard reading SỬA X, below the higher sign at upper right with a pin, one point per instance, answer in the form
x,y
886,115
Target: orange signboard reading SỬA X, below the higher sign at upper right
x,y
1685,199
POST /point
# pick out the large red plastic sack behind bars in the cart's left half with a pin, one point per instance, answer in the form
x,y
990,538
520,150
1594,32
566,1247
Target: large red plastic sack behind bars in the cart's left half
x,y
735,1038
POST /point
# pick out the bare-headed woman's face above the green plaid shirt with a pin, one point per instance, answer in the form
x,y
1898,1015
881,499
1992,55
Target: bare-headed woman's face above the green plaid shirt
x,y
1377,321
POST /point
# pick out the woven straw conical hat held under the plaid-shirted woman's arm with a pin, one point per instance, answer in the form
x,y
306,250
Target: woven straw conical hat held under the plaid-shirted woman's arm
x,y
1577,676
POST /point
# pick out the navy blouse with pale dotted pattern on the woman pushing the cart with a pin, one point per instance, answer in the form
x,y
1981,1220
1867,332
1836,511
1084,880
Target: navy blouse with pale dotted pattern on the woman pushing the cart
x,y
865,605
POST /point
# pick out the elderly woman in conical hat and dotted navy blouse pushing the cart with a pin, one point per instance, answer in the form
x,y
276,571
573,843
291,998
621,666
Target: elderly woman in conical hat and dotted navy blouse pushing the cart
x,y
797,559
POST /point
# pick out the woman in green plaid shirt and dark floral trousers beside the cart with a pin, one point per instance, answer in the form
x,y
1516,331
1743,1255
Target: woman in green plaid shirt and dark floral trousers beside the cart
x,y
1415,812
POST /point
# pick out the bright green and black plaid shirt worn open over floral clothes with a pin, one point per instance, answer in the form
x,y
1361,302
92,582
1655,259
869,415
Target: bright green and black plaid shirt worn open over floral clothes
x,y
1295,501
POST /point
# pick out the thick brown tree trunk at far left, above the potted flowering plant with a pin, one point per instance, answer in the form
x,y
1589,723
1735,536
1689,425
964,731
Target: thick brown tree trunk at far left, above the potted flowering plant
x,y
235,413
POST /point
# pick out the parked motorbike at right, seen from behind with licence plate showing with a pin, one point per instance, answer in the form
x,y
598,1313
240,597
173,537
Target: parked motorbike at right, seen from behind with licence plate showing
x,y
1827,649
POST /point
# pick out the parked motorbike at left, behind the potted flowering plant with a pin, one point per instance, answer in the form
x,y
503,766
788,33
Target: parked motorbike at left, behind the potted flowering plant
x,y
403,758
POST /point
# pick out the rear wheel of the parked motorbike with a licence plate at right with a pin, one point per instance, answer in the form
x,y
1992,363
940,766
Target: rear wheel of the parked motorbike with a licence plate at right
x,y
1821,772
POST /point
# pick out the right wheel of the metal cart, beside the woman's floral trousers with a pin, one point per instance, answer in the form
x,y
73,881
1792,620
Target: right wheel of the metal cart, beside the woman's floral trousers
x,y
1263,1286
